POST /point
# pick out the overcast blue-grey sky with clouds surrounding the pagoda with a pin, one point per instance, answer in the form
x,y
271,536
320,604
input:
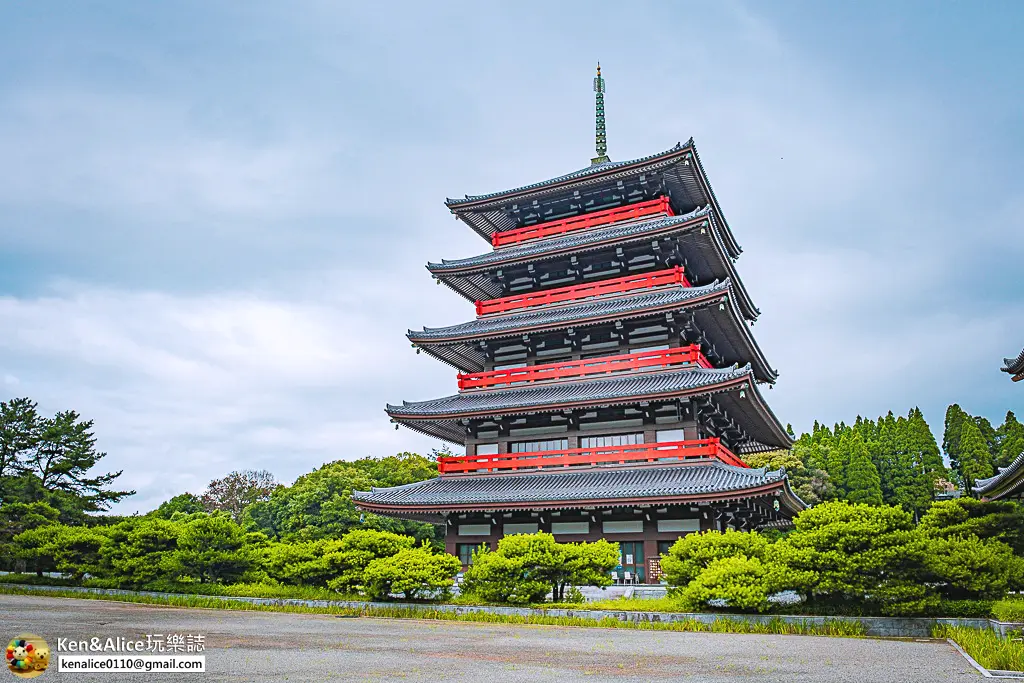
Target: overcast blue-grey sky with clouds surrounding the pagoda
x,y
215,217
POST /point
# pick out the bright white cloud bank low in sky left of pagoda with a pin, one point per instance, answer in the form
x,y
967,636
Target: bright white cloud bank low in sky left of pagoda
x,y
186,389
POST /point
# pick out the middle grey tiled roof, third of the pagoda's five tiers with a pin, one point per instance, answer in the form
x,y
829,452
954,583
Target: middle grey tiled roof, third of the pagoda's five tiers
x,y
726,329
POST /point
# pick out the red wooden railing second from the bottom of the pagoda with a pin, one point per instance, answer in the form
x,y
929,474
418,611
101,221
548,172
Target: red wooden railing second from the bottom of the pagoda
x,y
610,365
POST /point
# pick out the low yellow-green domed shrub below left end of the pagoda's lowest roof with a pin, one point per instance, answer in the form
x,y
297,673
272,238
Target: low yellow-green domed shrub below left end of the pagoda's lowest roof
x,y
415,573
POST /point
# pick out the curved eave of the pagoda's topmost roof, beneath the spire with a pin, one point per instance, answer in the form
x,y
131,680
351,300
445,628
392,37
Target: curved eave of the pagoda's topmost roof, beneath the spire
x,y
475,210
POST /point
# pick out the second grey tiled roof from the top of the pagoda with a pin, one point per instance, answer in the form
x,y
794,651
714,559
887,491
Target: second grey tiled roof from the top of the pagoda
x,y
699,233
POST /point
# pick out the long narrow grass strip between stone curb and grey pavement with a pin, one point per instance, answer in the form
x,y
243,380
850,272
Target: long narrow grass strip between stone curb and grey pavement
x,y
775,626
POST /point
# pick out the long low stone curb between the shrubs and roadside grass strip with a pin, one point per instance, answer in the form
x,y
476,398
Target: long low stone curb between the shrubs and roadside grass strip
x,y
880,627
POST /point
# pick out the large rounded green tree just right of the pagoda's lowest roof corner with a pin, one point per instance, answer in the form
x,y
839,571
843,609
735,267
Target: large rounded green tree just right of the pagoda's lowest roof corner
x,y
858,552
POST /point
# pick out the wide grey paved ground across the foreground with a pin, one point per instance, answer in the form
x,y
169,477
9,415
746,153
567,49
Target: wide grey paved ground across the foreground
x,y
267,647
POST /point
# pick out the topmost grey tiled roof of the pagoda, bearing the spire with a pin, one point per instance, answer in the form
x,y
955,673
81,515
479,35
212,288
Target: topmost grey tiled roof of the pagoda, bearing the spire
x,y
684,174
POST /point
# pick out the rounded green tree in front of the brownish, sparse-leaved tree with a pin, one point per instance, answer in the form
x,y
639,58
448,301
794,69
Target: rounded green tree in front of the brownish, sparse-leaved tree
x,y
211,549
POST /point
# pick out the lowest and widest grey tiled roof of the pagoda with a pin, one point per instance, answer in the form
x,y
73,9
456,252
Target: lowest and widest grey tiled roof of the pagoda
x,y
706,481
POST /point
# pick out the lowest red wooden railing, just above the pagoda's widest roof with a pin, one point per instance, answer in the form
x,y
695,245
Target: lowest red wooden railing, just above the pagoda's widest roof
x,y
650,453
